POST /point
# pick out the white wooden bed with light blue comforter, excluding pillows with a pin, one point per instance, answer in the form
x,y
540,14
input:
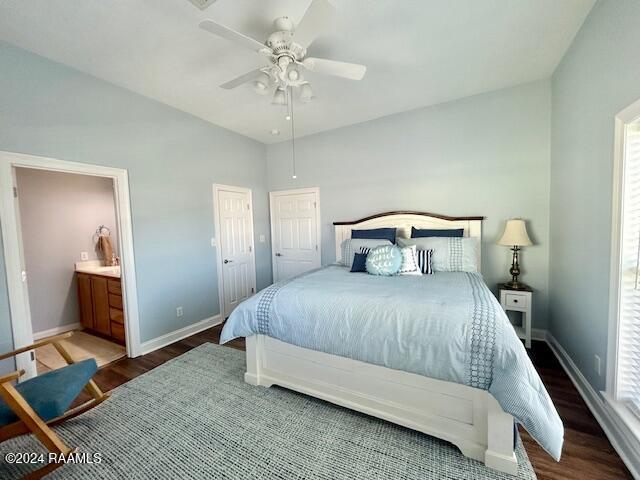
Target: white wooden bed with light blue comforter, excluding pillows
x,y
433,353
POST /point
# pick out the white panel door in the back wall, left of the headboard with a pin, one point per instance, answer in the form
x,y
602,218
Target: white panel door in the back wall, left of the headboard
x,y
295,229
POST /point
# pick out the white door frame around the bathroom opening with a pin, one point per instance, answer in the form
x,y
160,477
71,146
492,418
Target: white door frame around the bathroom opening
x,y
13,247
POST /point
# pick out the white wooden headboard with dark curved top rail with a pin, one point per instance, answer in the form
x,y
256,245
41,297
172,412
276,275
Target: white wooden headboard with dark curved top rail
x,y
403,221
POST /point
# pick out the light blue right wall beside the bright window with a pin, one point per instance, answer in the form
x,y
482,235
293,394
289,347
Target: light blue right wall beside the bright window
x,y
598,77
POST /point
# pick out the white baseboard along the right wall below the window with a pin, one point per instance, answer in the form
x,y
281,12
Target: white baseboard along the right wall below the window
x,y
622,439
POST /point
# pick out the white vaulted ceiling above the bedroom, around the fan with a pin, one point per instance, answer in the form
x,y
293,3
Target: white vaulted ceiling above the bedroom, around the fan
x,y
418,52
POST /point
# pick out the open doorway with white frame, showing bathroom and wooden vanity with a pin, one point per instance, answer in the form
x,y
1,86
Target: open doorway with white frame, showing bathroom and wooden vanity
x,y
58,219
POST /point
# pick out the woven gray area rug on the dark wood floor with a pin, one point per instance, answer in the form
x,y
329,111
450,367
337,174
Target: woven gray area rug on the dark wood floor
x,y
194,417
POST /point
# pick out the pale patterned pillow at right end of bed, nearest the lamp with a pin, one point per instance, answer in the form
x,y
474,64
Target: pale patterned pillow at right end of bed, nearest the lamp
x,y
450,254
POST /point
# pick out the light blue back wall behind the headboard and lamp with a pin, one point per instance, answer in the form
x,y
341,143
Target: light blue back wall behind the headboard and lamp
x,y
484,155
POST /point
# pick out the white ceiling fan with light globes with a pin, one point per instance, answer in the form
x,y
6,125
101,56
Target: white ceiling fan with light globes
x,y
286,53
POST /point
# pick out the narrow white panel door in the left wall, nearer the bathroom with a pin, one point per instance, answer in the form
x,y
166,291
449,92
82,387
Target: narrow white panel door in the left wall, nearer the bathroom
x,y
236,246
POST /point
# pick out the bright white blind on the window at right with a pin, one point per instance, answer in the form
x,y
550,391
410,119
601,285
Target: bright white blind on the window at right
x,y
628,375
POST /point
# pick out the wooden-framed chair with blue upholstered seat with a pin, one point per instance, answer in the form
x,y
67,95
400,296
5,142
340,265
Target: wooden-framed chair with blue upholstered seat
x,y
36,404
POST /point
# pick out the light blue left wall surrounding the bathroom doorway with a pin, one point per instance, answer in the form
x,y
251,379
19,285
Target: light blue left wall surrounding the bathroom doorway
x,y
172,158
